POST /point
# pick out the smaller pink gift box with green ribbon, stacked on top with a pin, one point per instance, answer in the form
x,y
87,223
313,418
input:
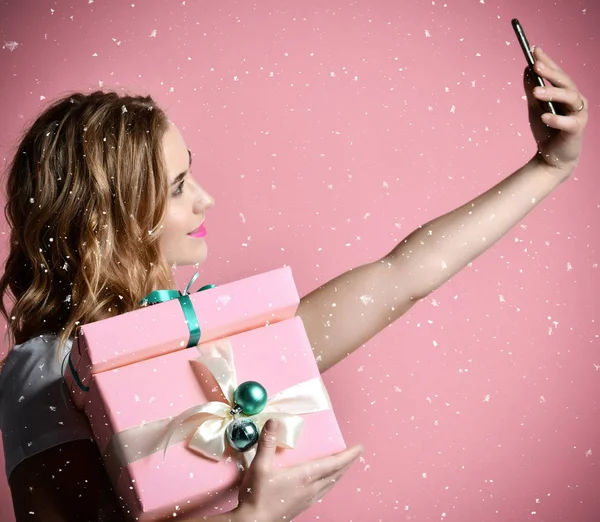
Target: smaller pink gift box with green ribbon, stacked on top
x,y
161,328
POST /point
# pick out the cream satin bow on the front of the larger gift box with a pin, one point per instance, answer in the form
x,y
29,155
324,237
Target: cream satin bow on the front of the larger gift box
x,y
286,406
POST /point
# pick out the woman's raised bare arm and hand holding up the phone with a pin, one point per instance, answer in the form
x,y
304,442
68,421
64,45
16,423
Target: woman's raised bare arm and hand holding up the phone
x,y
347,311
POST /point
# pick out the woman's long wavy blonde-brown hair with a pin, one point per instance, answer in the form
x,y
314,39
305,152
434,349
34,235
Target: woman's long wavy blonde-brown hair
x,y
86,193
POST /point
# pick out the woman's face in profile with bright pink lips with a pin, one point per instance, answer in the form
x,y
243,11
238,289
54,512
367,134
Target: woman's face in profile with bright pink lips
x,y
182,239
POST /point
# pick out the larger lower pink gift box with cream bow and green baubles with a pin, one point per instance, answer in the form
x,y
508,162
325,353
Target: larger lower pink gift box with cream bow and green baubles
x,y
133,399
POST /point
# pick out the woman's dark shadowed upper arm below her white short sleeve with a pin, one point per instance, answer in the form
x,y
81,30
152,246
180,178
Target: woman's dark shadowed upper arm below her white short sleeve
x,y
64,483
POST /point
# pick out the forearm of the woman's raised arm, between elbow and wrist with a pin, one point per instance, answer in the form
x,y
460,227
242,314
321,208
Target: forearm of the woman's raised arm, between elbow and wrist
x,y
433,253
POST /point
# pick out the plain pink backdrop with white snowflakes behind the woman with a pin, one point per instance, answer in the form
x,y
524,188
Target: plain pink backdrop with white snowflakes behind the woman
x,y
327,131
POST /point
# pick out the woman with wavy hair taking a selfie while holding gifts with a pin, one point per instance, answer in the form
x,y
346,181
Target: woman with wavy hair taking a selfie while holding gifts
x,y
101,202
